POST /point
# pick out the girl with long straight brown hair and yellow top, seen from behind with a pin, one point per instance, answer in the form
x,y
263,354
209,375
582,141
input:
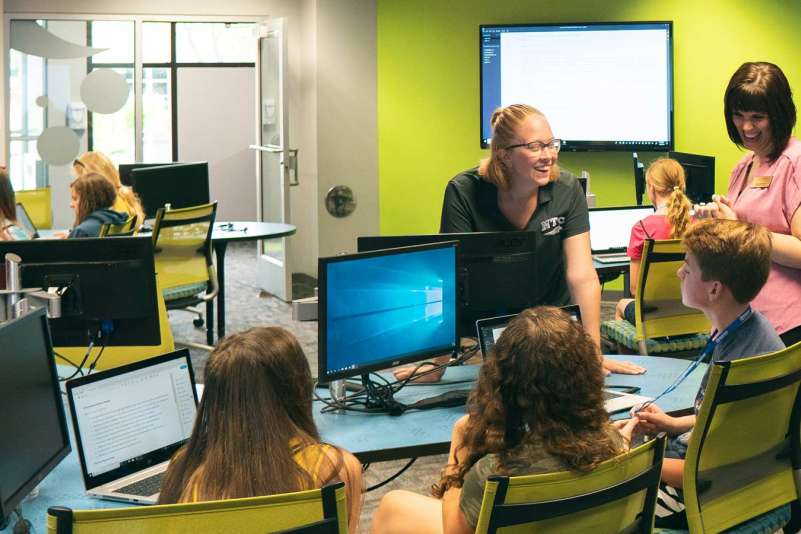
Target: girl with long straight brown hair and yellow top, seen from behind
x,y
254,433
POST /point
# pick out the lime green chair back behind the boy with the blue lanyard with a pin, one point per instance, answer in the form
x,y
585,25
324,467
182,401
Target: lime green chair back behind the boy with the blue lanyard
x,y
744,448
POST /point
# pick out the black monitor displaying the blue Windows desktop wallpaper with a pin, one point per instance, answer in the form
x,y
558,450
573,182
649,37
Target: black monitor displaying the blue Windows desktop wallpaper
x,y
384,308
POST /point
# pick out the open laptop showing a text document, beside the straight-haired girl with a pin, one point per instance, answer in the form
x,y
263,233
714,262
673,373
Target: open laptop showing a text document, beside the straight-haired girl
x,y
129,421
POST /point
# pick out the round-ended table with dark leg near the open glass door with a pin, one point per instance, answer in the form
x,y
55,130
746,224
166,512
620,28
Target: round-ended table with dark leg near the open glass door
x,y
222,234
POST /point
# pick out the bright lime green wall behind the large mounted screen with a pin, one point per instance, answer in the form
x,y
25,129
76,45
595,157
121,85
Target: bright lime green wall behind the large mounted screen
x,y
428,88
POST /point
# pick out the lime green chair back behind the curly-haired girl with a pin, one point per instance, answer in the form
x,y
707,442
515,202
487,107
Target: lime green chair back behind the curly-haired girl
x,y
618,496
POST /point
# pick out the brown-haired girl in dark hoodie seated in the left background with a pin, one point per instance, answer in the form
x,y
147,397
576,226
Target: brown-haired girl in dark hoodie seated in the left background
x,y
92,199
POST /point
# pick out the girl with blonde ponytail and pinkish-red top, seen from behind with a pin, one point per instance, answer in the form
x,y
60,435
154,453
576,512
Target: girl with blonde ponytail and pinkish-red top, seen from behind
x,y
665,185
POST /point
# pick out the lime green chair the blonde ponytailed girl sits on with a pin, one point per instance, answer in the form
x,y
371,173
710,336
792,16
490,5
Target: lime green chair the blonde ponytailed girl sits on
x,y
664,324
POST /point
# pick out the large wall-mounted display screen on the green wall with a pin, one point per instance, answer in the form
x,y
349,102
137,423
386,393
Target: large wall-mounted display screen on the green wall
x,y
603,86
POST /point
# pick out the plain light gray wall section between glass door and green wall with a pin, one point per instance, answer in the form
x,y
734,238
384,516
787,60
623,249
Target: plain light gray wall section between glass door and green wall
x,y
347,135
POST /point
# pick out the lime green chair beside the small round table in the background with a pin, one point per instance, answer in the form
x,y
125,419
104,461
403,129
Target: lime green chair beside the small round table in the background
x,y
182,248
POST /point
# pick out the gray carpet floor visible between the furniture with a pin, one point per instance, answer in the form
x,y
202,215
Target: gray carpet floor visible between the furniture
x,y
247,306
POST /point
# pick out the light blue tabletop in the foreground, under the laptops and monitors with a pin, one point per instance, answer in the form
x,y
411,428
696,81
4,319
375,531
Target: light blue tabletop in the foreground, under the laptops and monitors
x,y
379,437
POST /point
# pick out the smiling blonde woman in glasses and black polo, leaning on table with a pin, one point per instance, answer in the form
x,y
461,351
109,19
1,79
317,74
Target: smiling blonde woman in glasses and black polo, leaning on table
x,y
520,187
